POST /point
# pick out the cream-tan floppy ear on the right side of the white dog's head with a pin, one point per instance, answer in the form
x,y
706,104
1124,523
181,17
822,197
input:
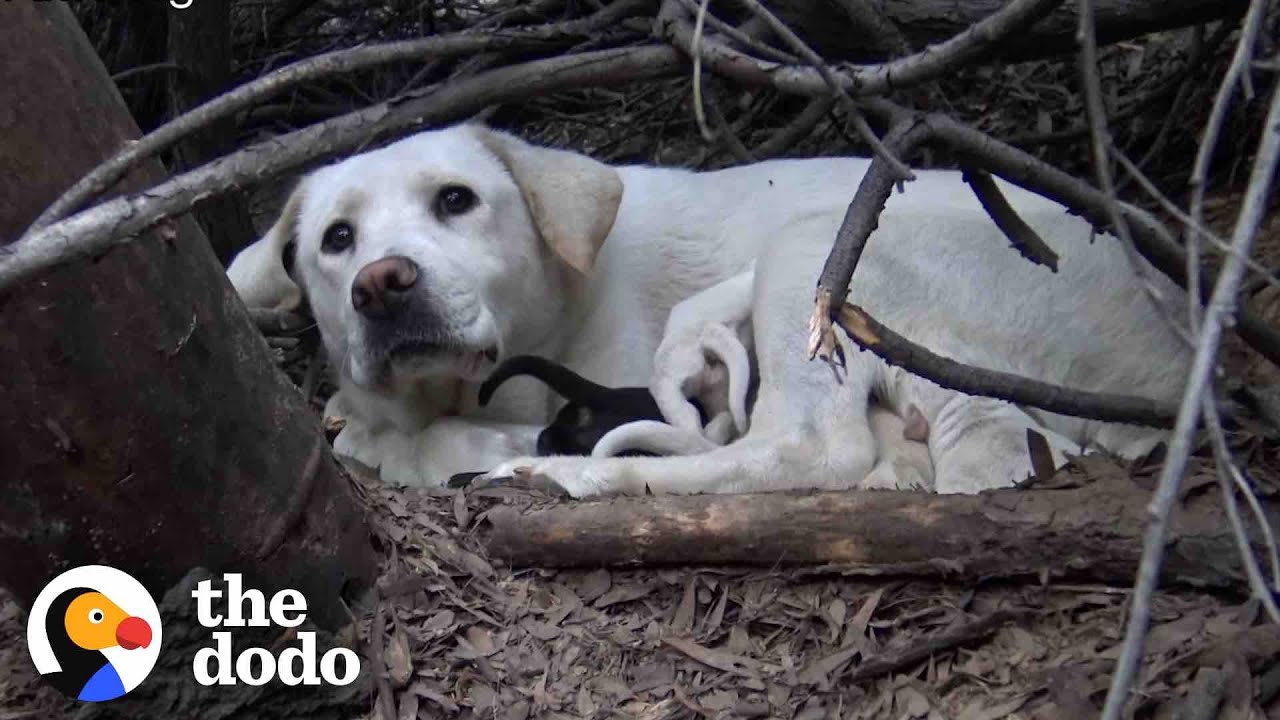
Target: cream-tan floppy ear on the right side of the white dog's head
x,y
573,198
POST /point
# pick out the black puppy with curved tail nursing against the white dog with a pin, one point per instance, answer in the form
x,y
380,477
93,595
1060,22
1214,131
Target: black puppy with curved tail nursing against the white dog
x,y
592,412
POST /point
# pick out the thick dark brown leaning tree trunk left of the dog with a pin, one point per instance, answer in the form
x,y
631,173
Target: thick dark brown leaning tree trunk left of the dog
x,y
144,423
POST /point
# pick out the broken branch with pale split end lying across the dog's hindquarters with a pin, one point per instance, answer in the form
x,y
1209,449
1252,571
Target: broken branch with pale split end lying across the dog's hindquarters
x,y
897,350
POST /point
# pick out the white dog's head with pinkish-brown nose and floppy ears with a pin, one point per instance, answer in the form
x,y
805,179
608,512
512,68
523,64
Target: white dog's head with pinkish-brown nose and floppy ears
x,y
435,257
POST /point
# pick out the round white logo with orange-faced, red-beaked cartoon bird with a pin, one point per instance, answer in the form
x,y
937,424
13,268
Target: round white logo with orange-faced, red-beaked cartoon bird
x,y
94,632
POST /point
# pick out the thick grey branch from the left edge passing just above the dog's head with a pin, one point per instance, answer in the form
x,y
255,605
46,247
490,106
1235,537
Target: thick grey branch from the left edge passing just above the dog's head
x,y
118,221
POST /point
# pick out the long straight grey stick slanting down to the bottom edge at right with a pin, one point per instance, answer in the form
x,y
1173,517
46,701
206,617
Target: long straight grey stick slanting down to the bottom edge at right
x,y
1222,304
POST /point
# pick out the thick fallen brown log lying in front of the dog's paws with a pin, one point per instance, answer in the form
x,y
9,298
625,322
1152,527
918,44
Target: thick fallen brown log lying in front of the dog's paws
x,y
1091,532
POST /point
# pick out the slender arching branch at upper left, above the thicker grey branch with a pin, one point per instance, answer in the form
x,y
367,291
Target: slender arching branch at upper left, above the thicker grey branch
x,y
337,62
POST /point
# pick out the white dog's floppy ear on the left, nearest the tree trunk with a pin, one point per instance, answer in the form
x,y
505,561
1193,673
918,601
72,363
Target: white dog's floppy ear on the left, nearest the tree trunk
x,y
259,274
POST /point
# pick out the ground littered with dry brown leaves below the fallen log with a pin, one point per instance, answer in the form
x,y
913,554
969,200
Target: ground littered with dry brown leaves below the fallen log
x,y
460,636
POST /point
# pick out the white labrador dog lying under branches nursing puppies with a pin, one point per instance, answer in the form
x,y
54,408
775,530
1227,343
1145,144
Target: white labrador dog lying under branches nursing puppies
x,y
429,261
